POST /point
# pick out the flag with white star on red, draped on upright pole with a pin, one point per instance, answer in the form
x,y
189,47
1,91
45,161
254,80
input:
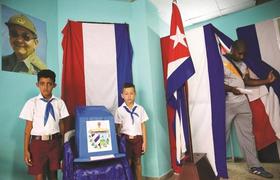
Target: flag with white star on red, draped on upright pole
x,y
178,68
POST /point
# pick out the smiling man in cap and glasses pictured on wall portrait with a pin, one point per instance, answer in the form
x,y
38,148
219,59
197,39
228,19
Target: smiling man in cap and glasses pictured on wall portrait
x,y
24,41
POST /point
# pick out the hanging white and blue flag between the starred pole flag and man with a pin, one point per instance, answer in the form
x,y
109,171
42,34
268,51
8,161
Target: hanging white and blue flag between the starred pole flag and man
x,y
206,95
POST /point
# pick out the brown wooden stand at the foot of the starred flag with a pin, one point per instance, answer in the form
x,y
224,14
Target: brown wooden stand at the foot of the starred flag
x,y
199,169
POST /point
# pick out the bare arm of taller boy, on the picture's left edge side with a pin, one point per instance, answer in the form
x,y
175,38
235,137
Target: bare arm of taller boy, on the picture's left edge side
x,y
27,156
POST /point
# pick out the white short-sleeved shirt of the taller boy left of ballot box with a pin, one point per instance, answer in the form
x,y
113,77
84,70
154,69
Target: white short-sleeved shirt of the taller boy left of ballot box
x,y
34,110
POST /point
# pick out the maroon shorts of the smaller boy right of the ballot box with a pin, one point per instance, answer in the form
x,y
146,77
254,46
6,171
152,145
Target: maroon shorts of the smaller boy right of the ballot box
x,y
134,146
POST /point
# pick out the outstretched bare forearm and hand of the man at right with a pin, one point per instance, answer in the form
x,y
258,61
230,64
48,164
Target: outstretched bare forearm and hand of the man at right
x,y
258,82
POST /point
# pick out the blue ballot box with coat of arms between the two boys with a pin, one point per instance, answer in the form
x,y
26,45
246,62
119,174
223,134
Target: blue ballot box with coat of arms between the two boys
x,y
95,134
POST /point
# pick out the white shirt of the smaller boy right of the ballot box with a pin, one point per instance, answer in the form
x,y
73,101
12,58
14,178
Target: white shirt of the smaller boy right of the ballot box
x,y
124,118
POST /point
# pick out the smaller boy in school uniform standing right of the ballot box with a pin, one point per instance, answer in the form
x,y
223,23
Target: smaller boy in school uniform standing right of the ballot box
x,y
130,119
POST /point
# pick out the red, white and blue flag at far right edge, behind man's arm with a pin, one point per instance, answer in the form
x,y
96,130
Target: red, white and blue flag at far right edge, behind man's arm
x,y
263,52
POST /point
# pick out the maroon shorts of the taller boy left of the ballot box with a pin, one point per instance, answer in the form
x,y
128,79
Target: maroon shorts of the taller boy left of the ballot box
x,y
45,153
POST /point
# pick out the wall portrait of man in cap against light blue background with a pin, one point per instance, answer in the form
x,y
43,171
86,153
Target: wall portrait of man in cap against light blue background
x,y
24,42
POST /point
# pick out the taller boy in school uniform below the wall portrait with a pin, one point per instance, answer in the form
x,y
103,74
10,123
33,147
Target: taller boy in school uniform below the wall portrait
x,y
44,130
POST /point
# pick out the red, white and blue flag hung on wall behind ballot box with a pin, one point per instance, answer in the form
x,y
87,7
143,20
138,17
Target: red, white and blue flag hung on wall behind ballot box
x,y
97,61
